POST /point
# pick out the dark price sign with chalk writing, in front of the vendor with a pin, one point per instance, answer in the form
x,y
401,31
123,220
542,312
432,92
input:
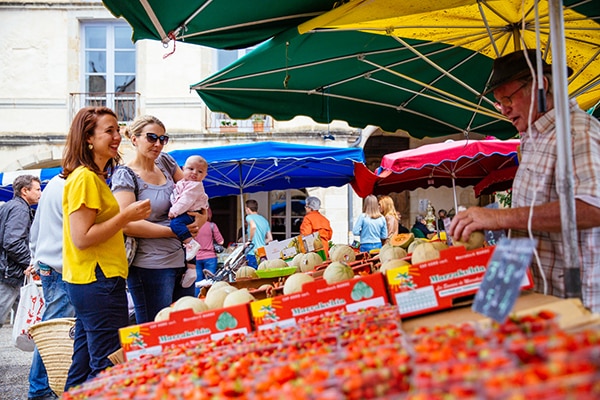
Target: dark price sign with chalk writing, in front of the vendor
x,y
503,278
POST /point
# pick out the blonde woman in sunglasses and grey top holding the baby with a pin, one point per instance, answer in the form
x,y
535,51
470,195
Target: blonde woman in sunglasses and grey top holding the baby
x,y
155,275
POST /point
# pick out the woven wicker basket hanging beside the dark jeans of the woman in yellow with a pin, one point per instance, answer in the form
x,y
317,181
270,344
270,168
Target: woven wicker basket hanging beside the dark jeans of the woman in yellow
x,y
54,340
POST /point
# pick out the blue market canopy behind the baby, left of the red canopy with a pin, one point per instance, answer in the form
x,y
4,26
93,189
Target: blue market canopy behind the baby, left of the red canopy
x,y
265,166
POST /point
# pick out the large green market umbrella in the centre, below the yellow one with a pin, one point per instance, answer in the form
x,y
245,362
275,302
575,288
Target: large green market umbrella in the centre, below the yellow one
x,y
363,79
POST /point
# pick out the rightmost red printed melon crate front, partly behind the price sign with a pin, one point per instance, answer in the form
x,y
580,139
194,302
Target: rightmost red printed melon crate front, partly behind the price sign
x,y
433,285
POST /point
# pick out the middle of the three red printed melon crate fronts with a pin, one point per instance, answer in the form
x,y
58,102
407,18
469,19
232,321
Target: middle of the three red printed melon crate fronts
x,y
318,298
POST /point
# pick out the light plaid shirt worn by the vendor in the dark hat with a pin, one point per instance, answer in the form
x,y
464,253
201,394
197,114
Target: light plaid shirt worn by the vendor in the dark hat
x,y
536,182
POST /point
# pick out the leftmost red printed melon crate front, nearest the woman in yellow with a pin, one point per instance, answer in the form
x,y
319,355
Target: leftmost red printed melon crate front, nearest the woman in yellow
x,y
183,327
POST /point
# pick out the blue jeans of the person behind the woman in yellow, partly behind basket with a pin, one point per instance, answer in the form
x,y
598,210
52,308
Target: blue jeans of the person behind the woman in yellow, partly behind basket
x,y
57,306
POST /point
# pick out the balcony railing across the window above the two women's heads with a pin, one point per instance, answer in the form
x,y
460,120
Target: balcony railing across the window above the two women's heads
x,y
124,104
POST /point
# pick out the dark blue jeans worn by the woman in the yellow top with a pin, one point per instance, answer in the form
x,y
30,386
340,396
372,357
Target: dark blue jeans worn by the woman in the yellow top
x,y
101,310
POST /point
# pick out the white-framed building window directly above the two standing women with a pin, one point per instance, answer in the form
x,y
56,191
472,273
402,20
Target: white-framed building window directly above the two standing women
x,y
109,67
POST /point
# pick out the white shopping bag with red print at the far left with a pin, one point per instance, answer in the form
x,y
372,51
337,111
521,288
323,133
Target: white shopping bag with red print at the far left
x,y
30,311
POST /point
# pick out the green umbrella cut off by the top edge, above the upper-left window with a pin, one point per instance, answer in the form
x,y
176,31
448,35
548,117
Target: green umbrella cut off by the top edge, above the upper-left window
x,y
223,24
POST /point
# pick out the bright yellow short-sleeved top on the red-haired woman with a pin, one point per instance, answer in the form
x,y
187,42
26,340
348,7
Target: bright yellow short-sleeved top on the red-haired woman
x,y
84,187
